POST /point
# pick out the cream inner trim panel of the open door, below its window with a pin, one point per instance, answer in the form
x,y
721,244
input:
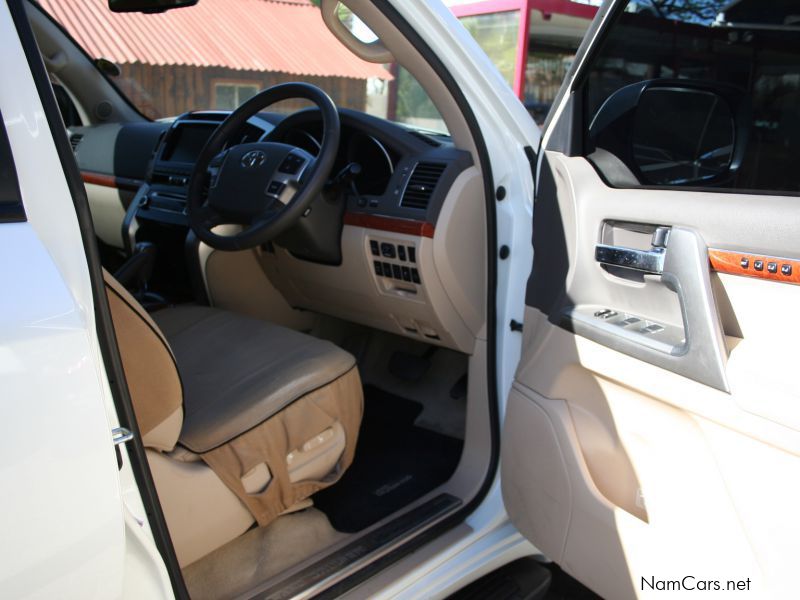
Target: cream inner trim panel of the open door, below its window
x,y
630,457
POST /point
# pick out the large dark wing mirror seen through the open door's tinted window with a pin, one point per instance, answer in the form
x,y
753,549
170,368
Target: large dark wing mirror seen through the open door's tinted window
x,y
675,132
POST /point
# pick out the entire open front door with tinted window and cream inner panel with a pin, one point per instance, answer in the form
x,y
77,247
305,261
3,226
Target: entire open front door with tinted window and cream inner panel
x,y
651,440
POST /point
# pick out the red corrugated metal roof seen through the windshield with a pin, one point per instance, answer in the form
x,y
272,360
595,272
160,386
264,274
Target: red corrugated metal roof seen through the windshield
x,y
259,35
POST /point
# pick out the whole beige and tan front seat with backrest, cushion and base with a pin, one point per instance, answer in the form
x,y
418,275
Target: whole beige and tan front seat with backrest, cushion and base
x,y
242,419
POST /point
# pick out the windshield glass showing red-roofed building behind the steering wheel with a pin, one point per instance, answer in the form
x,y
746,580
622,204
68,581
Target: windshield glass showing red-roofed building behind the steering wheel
x,y
217,54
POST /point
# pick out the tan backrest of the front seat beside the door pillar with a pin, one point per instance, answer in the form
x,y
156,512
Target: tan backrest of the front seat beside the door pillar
x,y
150,369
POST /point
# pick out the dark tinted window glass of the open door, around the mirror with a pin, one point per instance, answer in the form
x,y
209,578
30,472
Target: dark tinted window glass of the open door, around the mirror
x,y
750,45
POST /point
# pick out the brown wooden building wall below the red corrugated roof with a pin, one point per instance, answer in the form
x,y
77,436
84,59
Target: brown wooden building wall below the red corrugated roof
x,y
163,91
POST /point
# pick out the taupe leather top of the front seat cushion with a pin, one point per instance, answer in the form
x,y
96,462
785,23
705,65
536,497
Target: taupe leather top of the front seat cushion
x,y
237,371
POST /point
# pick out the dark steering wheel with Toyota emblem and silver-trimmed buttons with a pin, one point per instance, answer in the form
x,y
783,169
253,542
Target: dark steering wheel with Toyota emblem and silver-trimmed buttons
x,y
262,186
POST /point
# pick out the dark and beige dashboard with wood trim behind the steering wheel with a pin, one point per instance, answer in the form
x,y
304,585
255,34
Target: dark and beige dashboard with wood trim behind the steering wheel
x,y
413,222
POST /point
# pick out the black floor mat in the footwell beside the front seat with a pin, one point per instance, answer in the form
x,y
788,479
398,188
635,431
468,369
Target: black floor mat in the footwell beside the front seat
x,y
395,463
